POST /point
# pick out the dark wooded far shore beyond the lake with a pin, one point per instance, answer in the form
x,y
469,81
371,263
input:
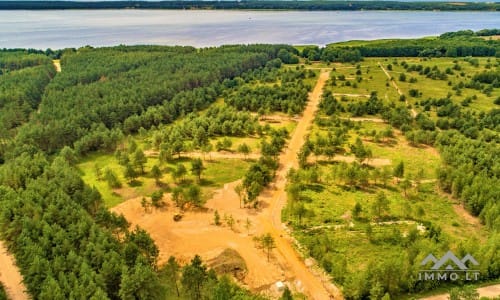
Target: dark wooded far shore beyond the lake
x,y
313,5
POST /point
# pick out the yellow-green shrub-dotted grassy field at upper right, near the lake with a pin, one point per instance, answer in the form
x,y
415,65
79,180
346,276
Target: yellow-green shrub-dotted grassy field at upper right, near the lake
x,y
367,76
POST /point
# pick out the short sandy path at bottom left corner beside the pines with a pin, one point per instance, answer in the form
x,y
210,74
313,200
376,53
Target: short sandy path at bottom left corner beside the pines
x,y
10,276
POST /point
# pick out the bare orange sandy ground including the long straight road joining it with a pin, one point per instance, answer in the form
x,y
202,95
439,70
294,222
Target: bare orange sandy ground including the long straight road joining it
x,y
196,233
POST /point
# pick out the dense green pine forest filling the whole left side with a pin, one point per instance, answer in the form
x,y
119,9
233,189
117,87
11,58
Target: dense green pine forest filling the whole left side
x,y
67,244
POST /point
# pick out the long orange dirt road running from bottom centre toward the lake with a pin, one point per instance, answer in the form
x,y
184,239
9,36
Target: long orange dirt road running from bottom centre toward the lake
x,y
316,286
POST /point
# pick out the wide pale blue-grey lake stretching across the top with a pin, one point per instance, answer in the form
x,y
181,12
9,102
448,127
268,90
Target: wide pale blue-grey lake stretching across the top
x,y
74,28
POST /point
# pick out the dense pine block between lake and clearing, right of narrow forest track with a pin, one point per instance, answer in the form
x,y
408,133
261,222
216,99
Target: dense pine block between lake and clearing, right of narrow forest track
x,y
104,90
